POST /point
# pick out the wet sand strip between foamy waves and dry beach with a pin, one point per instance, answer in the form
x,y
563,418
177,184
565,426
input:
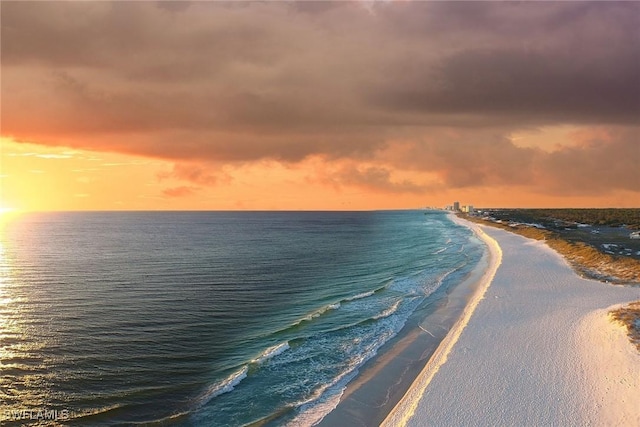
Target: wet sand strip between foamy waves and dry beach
x,y
385,379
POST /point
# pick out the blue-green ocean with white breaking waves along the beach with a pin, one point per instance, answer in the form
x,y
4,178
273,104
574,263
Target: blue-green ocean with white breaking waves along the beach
x,y
209,318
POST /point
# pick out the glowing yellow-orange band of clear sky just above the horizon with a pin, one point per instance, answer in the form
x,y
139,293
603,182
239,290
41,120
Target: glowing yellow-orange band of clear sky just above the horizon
x,y
40,178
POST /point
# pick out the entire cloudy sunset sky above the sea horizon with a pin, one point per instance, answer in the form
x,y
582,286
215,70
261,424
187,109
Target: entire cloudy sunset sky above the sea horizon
x,y
136,105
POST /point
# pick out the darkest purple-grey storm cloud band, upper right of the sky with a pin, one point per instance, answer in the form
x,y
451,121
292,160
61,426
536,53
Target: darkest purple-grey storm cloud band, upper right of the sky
x,y
532,86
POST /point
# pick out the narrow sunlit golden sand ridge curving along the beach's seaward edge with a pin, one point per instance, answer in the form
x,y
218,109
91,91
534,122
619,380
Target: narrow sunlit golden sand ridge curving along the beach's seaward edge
x,y
404,410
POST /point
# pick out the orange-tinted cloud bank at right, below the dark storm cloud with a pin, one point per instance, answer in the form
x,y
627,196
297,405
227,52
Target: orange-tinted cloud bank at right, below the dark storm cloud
x,y
602,159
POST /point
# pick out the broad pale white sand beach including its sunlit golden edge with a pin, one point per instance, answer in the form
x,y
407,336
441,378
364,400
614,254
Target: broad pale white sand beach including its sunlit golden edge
x,y
538,349
